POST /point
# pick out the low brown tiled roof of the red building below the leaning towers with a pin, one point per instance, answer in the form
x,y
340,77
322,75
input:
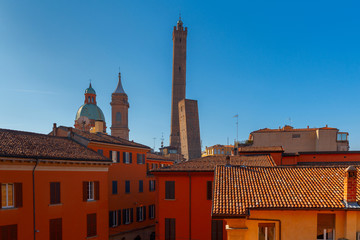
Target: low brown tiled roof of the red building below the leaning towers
x,y
210,162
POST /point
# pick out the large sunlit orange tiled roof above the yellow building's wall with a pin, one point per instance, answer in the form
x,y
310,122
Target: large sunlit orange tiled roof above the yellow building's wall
x,y
239,189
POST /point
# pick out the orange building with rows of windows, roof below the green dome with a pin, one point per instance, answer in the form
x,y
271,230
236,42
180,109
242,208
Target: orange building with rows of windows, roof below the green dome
x,y
131,190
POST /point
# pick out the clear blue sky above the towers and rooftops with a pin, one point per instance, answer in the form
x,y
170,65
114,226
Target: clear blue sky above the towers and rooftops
x,y
268,61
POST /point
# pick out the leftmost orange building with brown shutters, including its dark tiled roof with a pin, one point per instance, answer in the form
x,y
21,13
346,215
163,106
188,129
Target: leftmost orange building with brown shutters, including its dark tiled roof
x,y
51,188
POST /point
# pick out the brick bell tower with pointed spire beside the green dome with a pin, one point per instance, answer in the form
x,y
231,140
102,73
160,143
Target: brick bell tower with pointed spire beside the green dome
x,y
119,112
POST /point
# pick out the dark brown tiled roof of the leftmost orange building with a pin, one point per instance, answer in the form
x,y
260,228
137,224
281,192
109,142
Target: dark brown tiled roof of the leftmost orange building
x,y
33,145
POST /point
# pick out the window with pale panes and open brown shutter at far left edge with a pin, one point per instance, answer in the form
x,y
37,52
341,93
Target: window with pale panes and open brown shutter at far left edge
x,y
11,195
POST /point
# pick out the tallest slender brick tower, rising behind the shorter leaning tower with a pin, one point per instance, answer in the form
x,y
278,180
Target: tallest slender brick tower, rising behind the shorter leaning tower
x,y
178,80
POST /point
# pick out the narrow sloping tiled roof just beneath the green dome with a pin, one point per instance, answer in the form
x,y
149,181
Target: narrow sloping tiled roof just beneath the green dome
x,y
104,138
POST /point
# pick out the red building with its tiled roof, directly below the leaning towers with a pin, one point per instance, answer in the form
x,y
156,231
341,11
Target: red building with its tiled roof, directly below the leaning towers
x,y
184,198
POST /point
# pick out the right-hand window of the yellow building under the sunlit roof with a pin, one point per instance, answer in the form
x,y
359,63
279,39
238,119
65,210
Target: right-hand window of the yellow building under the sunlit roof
x,y
325,227
